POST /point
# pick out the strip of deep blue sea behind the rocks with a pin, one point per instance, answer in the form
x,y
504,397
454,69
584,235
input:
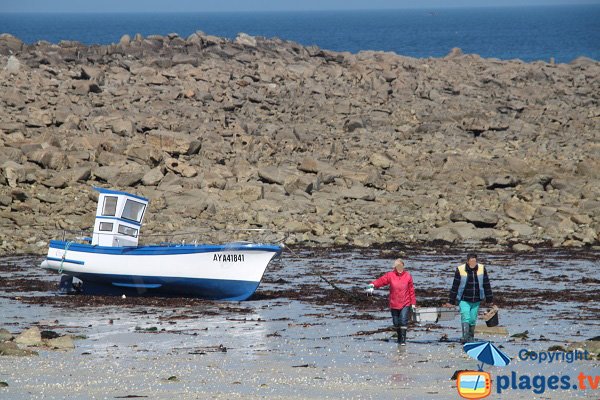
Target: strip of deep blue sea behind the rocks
x,y
527,33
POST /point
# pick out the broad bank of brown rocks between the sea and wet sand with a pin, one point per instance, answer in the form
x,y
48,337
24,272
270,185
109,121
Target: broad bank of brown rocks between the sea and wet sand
x,y
331,148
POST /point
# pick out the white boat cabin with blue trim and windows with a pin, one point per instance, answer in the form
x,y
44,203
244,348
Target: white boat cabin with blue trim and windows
x,y
119,218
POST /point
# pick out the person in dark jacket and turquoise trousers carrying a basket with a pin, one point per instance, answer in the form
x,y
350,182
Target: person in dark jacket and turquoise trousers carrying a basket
x,y
470,287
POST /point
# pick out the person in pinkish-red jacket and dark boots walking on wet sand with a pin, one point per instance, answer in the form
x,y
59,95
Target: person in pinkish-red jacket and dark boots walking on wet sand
x,y
402,296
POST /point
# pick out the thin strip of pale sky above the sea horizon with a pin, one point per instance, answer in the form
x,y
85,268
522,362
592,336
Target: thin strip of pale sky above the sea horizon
x,y
254,5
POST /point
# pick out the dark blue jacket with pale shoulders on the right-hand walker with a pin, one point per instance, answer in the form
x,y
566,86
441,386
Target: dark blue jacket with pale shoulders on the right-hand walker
x,y
471,284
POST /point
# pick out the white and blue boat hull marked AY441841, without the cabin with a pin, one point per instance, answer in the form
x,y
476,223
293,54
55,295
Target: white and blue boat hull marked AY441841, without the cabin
x,y
224,272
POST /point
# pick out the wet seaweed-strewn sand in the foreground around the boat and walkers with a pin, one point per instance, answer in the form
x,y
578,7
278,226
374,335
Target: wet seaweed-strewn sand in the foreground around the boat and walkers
x,y
299,337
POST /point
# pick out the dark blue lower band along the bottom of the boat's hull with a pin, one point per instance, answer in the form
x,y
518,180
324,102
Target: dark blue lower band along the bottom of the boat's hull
x,y
210,289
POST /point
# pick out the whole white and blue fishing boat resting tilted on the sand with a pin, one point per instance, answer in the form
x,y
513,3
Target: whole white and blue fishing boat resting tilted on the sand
x,y
112,262
